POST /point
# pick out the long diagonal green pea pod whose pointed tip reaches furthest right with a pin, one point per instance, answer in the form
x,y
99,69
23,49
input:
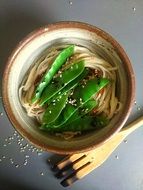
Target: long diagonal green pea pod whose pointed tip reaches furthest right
x,y
81,95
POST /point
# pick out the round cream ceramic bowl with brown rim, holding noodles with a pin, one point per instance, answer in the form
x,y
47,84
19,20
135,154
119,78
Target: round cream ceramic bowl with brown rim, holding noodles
x,y
66,33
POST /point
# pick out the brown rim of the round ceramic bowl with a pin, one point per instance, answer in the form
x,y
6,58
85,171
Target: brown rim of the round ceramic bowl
x,y
48,28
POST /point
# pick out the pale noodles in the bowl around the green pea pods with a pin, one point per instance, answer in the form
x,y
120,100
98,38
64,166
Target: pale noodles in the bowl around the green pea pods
x,y
108,103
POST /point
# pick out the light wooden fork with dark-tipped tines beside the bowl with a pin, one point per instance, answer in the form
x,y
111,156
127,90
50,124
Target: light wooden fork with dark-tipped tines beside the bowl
x,y
76,166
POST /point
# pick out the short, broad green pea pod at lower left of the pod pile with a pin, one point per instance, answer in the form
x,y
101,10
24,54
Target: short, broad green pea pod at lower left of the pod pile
x,y
54,109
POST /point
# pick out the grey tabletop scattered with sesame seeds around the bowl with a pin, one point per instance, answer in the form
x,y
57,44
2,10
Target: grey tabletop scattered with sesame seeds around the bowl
x,y
21,166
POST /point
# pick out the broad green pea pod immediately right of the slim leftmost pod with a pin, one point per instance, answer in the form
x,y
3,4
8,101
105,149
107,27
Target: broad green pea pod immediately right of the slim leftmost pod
x,y
61,82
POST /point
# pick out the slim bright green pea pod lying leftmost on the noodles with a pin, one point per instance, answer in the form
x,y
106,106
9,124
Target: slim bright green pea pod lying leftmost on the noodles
x,y
59,61
